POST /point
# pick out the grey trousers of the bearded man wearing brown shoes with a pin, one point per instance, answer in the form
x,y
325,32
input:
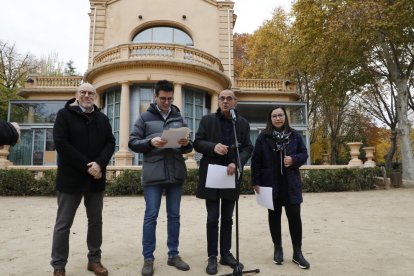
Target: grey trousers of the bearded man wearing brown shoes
x,y
67,206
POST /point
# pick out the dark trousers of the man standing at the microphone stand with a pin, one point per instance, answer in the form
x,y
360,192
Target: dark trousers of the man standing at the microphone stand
x,y
226,223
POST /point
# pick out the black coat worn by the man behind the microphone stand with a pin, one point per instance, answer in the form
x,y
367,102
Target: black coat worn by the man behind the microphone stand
x,y
207,136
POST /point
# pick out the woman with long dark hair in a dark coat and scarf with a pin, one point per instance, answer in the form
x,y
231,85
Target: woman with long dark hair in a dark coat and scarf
x,y
277,156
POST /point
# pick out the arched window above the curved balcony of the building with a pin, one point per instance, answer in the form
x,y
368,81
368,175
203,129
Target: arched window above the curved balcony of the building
x,y
163,34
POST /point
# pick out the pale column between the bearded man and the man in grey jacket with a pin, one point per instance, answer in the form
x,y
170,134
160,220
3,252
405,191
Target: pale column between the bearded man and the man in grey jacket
x,y
124,157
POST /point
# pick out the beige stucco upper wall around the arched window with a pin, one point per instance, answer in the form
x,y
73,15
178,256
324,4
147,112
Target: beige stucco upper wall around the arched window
x,y
208,22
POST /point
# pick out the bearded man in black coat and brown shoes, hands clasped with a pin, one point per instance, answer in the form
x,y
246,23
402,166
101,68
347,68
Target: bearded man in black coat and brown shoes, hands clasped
x,y
85,143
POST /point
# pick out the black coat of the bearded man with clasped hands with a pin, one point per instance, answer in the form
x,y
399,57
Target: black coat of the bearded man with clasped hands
x,y
79,140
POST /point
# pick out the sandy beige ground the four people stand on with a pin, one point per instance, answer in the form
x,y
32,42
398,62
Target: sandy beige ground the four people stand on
x,y
349,233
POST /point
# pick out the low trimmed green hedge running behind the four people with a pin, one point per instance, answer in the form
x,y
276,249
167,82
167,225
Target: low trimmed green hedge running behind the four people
x,y
23,183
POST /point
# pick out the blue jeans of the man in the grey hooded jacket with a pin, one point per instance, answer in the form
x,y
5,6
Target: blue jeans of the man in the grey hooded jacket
x,y
153,196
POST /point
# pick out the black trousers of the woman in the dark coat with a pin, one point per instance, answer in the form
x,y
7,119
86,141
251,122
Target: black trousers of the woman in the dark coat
x,y
295,224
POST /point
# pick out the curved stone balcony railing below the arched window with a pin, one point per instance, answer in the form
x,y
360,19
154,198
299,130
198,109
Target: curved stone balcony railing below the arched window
x,y
158,51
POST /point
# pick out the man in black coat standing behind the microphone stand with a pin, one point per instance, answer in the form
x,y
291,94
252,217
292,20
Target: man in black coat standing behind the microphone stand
x,y
215,140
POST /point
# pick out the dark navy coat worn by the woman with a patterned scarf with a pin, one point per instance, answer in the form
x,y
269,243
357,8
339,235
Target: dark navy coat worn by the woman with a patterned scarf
x,y
264,168
